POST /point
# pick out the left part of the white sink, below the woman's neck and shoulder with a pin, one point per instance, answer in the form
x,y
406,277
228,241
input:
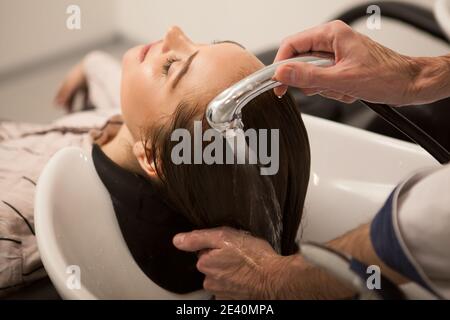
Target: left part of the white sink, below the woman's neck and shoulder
x,y
77,230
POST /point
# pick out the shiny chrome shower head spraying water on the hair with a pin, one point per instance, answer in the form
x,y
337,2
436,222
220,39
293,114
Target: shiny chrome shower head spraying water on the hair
x,y
224,111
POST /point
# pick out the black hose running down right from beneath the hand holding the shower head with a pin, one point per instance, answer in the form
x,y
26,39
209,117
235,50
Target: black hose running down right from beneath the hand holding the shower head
x,y
416,134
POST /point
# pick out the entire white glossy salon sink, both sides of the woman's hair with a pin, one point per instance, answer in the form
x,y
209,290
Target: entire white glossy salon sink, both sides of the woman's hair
x,y
353,171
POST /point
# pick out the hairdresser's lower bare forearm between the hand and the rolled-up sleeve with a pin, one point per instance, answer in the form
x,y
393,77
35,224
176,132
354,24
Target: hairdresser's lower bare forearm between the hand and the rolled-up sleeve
x,y
297,279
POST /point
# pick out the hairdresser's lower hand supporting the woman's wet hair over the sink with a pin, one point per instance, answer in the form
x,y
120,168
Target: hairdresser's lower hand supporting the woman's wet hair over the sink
x,y
236,265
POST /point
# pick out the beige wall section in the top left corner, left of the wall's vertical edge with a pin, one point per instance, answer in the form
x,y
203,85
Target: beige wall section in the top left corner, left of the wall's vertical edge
x,y
32,30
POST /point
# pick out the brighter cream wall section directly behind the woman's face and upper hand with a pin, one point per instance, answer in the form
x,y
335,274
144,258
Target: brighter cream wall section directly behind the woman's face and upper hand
x,y
258,24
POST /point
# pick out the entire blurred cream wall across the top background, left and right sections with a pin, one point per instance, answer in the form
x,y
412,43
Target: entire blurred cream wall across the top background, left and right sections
x,y
33,30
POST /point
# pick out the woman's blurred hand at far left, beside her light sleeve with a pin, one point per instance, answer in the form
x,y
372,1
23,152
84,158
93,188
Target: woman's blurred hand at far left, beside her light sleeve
x,y
74,81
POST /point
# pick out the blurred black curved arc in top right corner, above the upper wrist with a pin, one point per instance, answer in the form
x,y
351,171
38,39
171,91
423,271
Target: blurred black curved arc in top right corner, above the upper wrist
x,y
410,14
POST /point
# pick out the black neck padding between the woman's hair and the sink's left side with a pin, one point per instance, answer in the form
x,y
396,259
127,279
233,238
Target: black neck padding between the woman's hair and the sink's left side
x,y
148,225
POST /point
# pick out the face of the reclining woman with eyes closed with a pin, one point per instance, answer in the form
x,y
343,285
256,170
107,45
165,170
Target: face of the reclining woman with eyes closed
x,y
156,78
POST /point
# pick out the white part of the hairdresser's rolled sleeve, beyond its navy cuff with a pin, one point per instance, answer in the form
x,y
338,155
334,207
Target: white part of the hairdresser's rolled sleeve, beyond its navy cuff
x,y
423,220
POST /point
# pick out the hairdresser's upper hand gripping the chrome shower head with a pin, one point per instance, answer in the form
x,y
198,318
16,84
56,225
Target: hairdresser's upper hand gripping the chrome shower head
x,y
364,69
